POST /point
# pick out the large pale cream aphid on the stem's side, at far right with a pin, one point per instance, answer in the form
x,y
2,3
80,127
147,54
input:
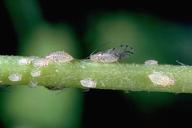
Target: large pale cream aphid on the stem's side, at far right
x,y
161,79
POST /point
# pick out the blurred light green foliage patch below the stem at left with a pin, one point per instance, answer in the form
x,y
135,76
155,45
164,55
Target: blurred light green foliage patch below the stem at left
x,y
39,108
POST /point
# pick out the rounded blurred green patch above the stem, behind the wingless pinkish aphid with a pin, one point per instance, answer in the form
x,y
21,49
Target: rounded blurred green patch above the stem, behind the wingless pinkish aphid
x,y
50,38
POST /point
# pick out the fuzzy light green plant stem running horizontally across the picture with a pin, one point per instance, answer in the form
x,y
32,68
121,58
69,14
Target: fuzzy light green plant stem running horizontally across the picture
x,y
116,76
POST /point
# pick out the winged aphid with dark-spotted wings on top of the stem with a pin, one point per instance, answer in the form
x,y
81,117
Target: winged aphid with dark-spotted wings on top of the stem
x,y
112,55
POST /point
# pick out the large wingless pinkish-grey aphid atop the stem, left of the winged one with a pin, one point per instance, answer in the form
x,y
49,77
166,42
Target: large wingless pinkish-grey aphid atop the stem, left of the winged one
x,y
59,56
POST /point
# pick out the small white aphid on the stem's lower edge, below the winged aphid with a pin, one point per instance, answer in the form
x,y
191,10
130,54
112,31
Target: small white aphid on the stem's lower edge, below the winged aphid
x,y
88,82
